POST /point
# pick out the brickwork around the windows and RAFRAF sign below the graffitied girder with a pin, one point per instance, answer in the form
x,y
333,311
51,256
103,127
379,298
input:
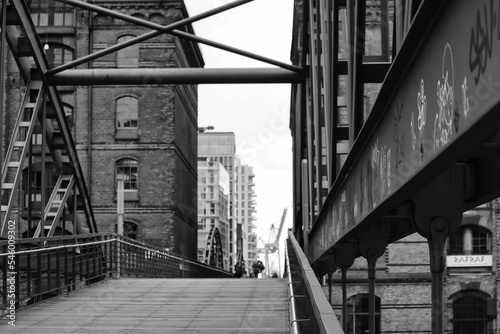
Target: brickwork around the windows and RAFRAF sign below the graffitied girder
x,y
403,281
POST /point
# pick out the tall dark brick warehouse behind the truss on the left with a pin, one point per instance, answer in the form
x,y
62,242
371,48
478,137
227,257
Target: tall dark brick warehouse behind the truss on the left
x,y
146,133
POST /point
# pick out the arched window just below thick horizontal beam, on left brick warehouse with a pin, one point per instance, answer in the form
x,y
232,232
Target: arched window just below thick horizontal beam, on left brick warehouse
x,y
127,113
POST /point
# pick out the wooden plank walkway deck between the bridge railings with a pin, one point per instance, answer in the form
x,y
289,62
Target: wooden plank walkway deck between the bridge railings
x,y
186,306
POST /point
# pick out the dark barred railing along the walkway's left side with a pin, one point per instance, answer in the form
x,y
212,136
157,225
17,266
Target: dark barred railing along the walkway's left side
x,y
36,269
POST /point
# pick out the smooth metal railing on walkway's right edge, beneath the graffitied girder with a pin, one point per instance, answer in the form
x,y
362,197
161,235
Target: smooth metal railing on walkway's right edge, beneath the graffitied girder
x,y
312,311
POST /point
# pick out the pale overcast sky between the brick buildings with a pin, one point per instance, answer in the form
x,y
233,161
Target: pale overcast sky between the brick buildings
x,y
257,114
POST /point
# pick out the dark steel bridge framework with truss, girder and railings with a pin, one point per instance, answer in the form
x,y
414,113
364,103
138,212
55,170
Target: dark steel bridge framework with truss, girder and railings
x,y
424,151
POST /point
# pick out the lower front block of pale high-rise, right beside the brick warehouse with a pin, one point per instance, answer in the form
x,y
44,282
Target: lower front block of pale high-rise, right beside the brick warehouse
x,y
213,213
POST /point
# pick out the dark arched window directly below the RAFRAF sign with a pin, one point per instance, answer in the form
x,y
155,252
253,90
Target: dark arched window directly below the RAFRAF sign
x,y
470,313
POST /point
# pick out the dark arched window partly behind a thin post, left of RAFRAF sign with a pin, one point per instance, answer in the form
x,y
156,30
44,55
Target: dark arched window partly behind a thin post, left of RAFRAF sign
x,y
358,314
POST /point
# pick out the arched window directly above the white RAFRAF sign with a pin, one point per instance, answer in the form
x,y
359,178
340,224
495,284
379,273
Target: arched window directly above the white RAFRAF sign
x,y
470,240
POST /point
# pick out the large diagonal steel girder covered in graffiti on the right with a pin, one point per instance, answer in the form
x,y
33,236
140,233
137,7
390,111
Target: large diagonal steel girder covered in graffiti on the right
x,y
445,100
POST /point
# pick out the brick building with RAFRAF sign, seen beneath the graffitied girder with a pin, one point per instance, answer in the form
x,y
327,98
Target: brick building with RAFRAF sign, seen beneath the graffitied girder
x,y
403,281
